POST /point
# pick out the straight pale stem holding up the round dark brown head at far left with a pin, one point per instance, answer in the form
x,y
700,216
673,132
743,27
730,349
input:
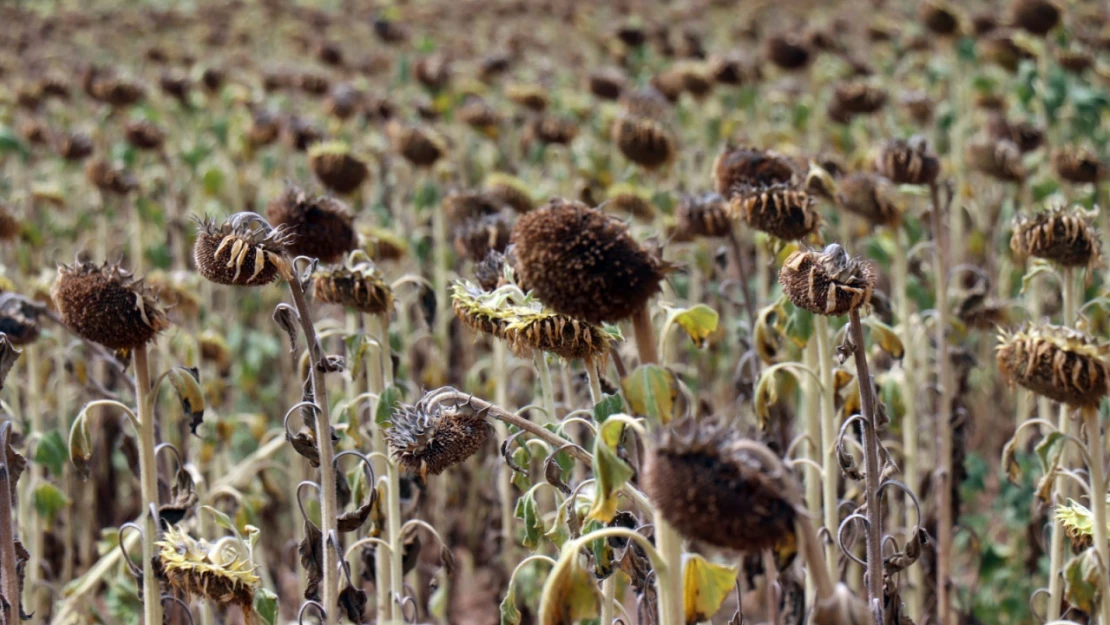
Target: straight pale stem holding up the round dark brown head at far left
x,y
148,475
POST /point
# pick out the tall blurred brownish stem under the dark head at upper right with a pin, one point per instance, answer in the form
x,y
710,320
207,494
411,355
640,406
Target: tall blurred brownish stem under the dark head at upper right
x,y
944,475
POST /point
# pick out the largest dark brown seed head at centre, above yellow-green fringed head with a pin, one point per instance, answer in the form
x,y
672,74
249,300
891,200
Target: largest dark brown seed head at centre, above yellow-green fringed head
x,y
584,264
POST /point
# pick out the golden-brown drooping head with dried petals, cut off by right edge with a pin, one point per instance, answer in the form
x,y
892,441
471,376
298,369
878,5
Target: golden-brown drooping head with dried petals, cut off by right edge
x,y
1061,364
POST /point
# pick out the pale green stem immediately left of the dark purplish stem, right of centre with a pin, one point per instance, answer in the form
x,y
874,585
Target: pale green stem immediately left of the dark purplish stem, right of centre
x,y
829,440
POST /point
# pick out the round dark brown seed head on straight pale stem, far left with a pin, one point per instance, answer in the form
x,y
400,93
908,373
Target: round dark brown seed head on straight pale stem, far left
x,y
106,305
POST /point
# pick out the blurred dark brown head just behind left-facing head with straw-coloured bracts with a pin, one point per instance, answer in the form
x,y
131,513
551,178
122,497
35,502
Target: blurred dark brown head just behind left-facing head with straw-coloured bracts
x,y
319,227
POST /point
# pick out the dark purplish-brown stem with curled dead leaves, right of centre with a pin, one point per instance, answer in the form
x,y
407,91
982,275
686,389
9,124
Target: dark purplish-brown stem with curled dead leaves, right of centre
x,y
872,468
